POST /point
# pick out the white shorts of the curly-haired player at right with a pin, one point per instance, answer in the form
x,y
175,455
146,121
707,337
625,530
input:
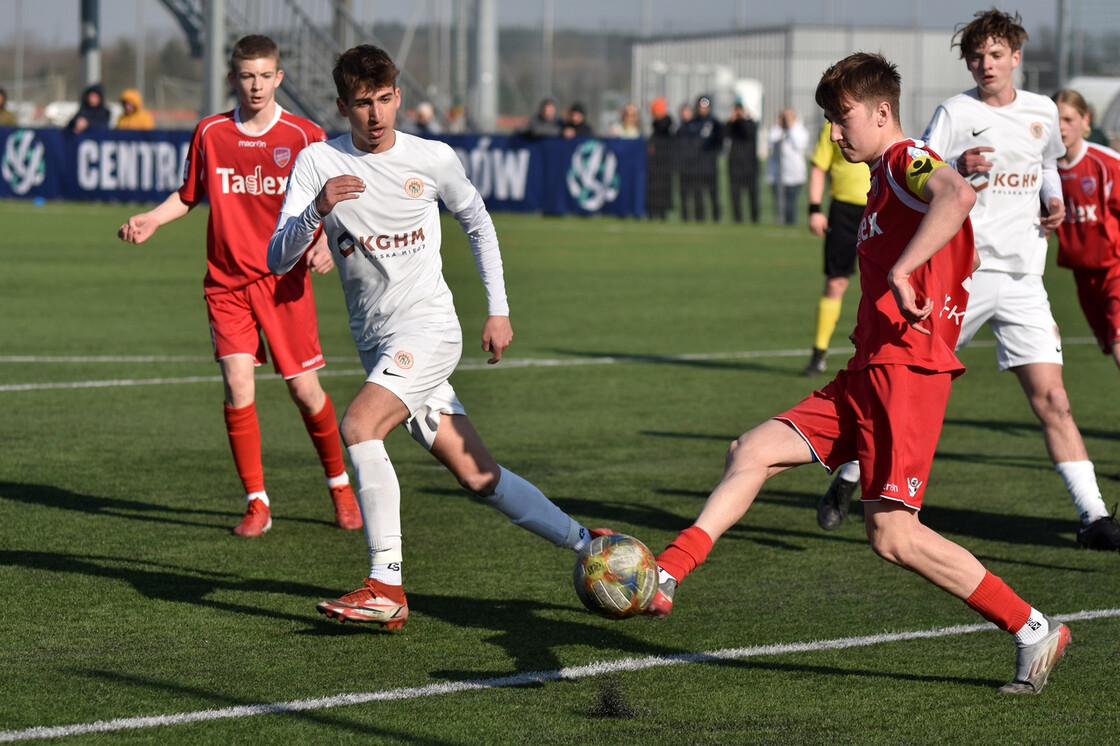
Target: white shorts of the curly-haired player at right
x,y
1018,310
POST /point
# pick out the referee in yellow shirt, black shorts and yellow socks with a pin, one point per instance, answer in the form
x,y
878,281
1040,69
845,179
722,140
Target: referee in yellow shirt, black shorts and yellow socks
x,y
848,188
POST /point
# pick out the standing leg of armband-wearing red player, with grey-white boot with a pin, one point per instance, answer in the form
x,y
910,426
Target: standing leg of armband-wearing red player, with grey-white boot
x,y
899,537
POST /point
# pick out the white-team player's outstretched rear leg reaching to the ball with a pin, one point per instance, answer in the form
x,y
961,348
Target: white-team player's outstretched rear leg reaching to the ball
x,y
459,447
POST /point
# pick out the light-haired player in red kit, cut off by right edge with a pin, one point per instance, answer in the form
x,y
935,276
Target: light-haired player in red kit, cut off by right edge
x,y
1089,238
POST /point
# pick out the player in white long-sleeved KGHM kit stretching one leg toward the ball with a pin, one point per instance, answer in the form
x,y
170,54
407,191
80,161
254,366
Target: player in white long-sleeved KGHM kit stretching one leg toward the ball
x,y
376,193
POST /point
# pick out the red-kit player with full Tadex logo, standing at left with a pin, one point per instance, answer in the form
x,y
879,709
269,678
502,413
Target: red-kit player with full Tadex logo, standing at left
x,y
240,161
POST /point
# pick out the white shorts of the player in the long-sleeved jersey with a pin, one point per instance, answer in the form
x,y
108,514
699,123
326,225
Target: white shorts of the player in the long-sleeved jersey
x,y
416,366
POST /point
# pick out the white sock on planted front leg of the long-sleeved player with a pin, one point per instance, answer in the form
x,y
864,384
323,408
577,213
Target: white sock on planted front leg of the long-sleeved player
x,y
379,497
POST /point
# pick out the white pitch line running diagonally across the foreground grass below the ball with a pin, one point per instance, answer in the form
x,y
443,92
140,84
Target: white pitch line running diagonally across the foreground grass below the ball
x,y
516,680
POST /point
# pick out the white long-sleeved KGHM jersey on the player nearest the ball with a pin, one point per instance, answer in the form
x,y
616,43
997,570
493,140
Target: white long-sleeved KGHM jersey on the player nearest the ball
x,y
387,243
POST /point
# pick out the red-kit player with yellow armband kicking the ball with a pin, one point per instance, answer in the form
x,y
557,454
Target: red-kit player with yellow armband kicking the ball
x,y
917,257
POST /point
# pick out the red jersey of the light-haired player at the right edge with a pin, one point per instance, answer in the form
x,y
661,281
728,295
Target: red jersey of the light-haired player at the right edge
x,y
1090,236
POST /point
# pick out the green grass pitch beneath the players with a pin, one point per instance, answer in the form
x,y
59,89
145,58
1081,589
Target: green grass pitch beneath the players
x,y
124,595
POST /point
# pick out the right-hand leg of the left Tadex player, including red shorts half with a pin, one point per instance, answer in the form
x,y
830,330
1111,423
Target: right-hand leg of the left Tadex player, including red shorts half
x,y
285,310
